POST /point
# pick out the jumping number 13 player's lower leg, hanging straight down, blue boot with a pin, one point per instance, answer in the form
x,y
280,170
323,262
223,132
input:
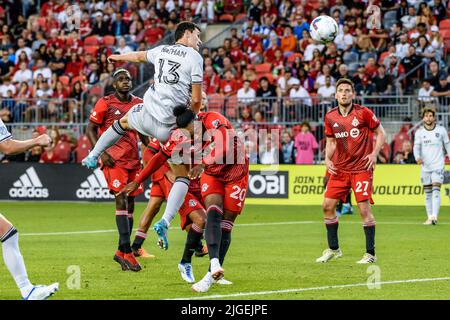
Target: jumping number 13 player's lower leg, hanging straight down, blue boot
x,y
176,198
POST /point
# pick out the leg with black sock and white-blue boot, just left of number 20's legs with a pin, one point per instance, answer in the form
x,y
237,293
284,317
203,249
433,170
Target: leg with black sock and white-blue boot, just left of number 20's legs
x,y
197,216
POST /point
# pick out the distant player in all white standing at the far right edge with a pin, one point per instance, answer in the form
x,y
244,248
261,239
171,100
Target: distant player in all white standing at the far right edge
x,y
429,144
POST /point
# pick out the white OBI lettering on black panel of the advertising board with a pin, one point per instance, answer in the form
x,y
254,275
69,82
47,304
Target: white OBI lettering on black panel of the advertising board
x,y
268,186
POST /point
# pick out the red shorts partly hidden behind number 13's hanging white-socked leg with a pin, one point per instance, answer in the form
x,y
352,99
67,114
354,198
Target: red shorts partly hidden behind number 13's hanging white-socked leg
x,y
161,189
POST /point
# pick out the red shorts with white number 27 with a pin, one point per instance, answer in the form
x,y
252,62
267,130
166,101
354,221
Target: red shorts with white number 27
x,y
339,186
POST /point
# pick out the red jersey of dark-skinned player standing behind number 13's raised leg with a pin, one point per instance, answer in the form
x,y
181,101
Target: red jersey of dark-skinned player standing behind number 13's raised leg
x,y
107,110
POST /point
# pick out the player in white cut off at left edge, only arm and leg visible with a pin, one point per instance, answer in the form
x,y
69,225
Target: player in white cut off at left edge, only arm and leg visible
x,y
9,237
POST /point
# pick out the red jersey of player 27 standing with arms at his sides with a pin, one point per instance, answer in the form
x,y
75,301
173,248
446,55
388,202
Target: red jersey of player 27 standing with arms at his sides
x,y
354,137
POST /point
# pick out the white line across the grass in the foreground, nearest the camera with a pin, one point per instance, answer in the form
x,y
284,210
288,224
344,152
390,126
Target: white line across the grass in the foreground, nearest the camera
x,y
262,293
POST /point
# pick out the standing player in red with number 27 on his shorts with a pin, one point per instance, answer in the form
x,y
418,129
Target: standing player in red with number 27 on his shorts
x,y
350,158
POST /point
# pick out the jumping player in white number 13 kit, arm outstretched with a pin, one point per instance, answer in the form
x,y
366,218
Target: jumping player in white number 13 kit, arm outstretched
x,y
178,81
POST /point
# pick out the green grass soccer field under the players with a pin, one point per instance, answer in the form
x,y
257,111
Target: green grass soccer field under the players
x,y
273,249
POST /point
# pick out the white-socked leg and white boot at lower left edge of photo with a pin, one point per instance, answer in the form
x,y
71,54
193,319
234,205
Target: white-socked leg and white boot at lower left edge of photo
x,y
9,237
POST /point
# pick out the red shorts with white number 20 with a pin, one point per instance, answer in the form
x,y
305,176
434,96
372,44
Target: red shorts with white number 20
x,y
233,193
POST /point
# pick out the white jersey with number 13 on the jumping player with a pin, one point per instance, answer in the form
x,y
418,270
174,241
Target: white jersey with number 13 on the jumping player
x,y
177,67
